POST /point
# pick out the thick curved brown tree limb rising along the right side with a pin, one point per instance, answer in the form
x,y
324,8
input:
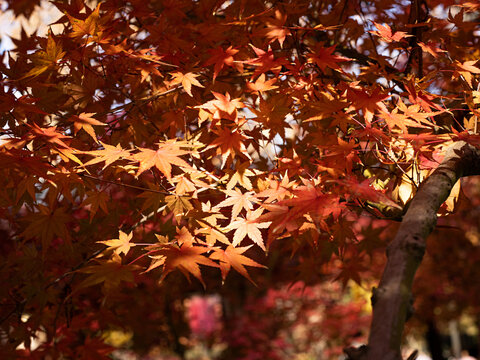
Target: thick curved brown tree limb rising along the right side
x,y
392,301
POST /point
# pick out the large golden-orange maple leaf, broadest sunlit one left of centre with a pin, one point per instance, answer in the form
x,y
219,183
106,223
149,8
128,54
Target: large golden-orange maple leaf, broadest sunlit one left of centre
x,y
163,158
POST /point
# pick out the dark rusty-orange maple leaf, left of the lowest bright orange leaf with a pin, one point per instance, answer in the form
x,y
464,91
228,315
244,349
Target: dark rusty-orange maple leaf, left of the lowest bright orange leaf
x,y
186,258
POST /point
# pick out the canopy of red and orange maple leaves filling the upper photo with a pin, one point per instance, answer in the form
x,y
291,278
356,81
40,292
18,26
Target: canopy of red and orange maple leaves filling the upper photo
x,y
150,138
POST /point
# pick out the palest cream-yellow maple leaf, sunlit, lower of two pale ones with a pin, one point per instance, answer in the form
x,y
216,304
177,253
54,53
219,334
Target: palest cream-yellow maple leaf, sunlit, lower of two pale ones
x,y
249,226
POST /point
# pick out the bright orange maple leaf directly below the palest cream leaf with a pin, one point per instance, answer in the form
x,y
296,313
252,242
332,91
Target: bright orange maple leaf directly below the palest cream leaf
x,y
232,257
